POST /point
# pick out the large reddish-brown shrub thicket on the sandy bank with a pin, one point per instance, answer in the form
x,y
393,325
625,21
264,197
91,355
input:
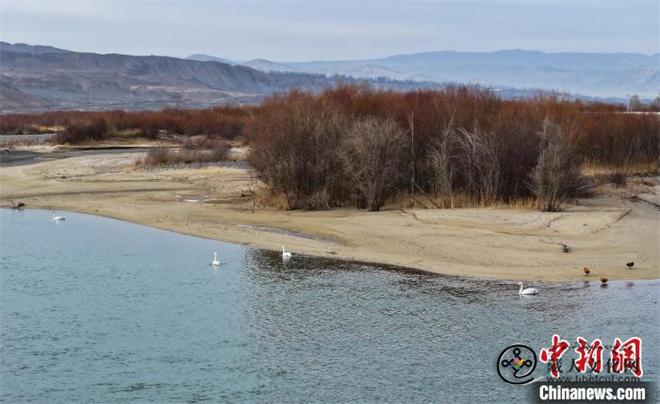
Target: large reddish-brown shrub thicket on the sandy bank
x,y
367,145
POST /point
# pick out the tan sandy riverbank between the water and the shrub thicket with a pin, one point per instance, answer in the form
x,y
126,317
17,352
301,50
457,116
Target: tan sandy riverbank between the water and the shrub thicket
x,y
603,233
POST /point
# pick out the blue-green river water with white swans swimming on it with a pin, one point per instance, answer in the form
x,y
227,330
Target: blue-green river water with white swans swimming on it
x,y
98,310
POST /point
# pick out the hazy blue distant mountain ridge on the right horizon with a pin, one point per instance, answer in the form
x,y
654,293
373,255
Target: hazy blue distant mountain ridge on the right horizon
x,y
594,74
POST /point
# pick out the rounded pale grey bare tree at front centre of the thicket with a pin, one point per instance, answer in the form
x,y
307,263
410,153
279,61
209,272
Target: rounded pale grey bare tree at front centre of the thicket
x,y
373,156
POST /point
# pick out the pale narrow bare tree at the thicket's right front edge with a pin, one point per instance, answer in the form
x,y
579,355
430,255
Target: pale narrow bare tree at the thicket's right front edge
x,y
557,172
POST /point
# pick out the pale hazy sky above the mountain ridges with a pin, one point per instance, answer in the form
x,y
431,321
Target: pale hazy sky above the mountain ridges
x,y
338,29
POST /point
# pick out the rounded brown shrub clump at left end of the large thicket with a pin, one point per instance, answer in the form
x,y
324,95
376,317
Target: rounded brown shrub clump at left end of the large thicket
x,y
295,146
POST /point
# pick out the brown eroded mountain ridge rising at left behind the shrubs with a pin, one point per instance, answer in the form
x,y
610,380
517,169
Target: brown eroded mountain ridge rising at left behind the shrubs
x,y
41,77
